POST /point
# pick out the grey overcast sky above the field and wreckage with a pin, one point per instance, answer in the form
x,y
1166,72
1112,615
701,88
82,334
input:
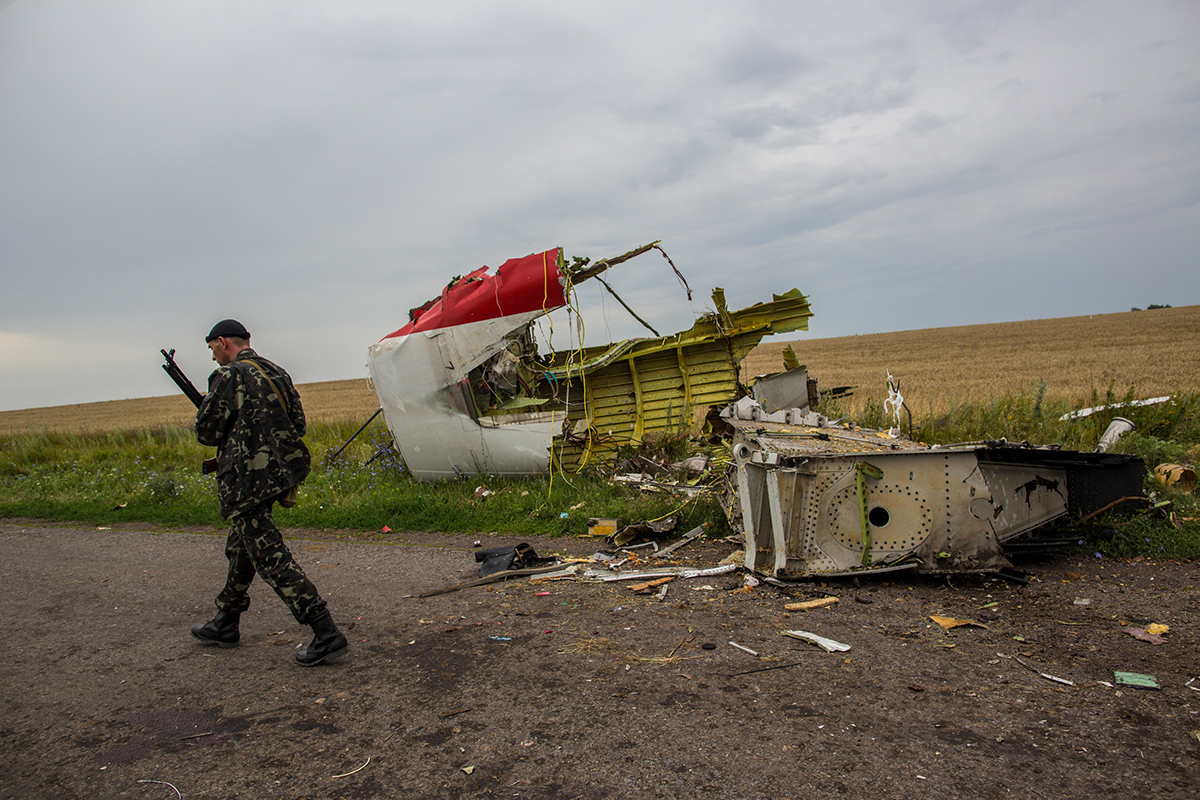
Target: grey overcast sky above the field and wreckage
x,y
316,170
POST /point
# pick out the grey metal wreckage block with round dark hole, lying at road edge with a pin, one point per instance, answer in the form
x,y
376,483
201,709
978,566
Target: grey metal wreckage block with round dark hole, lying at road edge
x,y
839,502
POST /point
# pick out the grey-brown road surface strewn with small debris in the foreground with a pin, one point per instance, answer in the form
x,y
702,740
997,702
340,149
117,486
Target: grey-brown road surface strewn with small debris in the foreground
x,y
566,690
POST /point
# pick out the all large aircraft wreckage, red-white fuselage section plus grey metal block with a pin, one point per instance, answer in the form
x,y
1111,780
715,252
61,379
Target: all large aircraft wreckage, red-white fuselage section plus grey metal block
x,y
464,390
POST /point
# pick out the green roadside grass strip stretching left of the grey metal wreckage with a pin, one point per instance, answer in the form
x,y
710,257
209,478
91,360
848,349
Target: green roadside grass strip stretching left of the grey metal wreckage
x,y
155,477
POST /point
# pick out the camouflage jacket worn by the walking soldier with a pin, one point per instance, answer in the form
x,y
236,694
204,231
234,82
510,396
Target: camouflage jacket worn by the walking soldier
x,y
260,448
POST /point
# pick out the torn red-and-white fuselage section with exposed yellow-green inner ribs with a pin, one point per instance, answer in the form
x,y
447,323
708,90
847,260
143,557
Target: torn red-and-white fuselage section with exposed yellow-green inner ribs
x,y
465,390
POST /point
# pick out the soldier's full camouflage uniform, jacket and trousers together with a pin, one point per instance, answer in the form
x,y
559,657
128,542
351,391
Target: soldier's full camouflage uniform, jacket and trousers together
x,y
261,455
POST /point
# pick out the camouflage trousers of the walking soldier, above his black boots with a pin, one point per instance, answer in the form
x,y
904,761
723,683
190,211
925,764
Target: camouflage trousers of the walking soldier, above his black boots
x,y
256,545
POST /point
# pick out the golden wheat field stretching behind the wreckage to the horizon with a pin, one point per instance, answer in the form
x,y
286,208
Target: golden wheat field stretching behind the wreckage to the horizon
x,y
1150,353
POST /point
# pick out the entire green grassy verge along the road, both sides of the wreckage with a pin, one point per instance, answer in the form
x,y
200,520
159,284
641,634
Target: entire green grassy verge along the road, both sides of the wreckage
x,y
154,476
